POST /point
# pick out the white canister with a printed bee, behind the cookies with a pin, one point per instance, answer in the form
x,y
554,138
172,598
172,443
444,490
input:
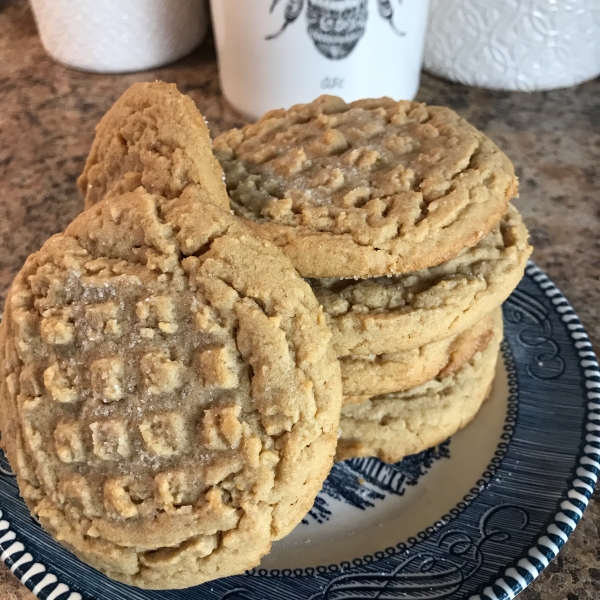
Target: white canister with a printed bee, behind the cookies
x,y
276,53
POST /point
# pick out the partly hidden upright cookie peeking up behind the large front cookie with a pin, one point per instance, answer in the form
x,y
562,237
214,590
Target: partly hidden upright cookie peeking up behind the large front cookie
x,y
153,137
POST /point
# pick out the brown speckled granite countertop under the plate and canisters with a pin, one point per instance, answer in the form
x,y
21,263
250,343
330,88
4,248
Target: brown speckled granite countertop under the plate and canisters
x,y
47,118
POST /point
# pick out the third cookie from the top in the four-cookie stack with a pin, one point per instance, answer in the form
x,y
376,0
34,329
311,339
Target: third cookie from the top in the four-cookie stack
x,y
385,373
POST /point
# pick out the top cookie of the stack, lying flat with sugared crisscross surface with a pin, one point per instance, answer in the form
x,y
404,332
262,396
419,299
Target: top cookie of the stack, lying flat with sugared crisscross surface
x,y
371,188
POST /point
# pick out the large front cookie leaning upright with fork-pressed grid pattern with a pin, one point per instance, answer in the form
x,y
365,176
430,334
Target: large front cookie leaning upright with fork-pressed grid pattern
x,y
169,397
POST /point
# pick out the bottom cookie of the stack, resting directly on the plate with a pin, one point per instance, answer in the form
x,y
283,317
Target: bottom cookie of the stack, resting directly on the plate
x,y
392,426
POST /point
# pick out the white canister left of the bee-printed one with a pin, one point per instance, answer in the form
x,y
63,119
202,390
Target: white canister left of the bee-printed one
x,y
118,36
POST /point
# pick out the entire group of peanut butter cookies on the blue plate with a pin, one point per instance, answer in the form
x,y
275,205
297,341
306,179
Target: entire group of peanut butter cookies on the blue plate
x,y
171,388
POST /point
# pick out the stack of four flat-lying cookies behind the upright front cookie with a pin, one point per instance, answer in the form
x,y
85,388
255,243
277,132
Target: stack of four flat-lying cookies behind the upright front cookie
x,y
398,214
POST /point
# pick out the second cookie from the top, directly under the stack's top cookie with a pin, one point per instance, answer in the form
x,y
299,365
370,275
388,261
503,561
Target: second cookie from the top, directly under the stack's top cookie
x,y
390,314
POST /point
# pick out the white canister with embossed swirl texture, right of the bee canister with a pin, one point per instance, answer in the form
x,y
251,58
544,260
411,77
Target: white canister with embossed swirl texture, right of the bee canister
x,y
514,44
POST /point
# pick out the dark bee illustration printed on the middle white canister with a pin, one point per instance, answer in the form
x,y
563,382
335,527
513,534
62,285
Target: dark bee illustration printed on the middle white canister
x,y
335,26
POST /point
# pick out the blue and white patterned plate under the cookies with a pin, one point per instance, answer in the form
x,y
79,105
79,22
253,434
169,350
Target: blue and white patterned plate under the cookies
x,y
479,516
